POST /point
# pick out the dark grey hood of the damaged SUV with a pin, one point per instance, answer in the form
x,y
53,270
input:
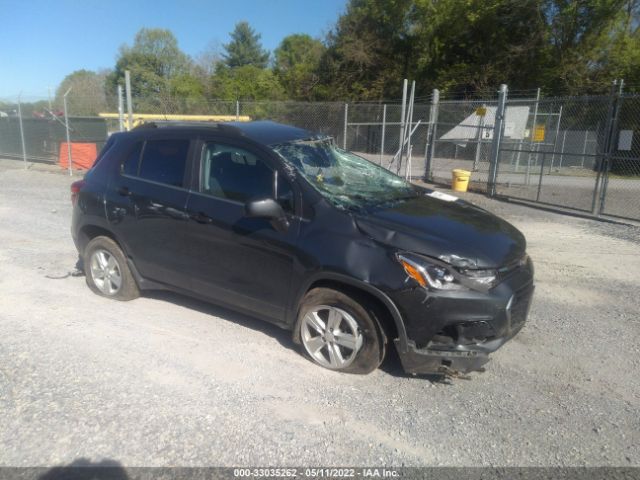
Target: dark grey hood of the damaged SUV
x,y
451,229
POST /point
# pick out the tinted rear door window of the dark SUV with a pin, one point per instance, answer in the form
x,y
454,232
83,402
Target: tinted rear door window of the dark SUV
x,y
164,161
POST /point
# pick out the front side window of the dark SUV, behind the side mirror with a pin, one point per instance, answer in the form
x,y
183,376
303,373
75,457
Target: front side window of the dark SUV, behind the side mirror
x,y
234,173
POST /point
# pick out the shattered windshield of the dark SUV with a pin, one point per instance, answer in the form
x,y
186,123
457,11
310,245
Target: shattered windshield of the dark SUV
x,y
345,179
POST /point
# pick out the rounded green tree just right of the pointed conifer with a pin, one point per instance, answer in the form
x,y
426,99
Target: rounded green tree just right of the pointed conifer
x,y
297,60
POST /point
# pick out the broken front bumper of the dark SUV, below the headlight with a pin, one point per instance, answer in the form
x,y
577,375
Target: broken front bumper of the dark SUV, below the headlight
x,y
456,332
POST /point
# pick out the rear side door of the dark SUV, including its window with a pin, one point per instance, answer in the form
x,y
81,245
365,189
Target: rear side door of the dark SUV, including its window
x,y
146,204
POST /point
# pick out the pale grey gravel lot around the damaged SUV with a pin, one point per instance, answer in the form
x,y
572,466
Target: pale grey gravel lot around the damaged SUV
x,y
166,380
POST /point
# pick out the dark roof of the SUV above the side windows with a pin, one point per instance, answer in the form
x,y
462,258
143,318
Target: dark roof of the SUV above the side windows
x,y
265,132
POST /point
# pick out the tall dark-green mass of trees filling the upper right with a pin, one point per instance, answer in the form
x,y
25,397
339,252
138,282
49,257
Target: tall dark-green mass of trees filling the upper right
x,y
470,46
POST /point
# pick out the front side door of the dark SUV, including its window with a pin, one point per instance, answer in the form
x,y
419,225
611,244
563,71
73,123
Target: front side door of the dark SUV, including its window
x,y
242,262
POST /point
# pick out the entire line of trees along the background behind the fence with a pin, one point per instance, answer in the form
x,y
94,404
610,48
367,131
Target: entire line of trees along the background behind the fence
x,y
462,47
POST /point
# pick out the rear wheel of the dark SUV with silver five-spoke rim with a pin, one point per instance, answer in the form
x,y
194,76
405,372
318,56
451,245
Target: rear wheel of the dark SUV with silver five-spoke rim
x,y
107,272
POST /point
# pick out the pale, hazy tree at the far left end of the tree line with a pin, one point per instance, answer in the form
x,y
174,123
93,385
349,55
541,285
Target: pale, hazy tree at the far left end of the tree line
x,y
87,96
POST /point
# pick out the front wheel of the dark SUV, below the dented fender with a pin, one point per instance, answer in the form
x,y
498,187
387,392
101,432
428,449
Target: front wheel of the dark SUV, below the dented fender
x,y
354,343
